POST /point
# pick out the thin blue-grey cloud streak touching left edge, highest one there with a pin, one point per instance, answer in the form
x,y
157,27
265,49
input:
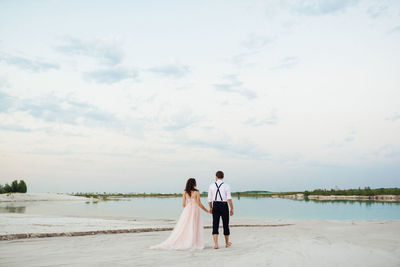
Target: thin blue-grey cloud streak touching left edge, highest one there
x,y
33,65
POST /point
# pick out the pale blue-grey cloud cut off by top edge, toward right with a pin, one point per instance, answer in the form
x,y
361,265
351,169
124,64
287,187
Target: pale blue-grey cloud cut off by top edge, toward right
x,y
320,7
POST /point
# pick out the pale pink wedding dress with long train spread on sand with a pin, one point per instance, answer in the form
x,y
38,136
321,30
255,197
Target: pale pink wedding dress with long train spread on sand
x,y
188,231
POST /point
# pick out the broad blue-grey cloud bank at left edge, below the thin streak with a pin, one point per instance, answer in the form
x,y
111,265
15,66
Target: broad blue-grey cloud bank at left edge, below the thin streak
x,y
53,111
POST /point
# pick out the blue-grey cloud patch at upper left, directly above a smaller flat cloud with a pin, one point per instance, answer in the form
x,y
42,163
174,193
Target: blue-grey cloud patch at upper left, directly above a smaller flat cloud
x,y
106,52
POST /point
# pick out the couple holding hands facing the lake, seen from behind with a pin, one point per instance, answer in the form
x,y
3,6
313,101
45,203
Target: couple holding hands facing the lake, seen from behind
x,y
188,231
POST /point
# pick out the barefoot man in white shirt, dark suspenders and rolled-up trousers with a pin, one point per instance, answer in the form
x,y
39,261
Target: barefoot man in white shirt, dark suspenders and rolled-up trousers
x,y
219,195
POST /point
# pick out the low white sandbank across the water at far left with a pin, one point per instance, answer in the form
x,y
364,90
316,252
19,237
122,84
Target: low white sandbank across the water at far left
x,y
11,197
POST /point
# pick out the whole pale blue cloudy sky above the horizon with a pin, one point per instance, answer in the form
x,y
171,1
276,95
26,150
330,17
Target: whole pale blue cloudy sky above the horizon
x,y
139,96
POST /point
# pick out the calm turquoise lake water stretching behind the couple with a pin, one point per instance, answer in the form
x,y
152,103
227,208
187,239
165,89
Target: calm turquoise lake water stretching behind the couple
x,y
170,208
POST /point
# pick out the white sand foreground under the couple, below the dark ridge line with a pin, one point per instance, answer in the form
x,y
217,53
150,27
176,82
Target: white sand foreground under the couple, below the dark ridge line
x,y
306,243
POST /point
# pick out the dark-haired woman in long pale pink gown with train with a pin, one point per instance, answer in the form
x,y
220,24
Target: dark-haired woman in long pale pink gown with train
x,y
188,231
